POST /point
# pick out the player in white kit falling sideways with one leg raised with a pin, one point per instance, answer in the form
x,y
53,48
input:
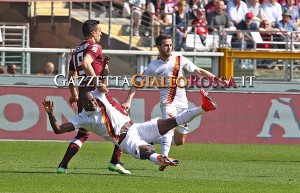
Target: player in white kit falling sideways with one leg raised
x,y
100,117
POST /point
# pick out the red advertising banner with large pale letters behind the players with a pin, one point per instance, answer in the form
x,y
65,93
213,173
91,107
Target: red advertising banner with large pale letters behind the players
x,y
245,118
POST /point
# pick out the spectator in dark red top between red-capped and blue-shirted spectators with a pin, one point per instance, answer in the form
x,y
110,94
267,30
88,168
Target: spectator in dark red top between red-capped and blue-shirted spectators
x,y
267,33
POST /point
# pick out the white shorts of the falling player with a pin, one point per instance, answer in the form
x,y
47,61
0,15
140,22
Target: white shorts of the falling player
x,y
140,134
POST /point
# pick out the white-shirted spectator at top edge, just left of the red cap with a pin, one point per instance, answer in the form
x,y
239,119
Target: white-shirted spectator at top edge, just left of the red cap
x,y
236,10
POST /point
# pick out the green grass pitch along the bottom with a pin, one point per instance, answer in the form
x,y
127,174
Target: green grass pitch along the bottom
x,y
30,167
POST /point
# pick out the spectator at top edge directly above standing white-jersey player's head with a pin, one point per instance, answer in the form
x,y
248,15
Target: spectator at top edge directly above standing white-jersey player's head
x,y
157,9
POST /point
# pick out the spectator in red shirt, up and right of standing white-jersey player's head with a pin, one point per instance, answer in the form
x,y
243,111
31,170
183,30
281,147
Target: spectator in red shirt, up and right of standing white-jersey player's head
x,y
200,25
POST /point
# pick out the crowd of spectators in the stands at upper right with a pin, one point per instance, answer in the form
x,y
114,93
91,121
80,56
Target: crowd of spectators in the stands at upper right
x,y
205,17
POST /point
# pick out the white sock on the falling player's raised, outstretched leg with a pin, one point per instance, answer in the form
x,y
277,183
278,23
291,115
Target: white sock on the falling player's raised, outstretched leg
x,y
188,115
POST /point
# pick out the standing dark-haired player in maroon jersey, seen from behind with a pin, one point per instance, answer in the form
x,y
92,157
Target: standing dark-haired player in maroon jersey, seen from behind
x,y
87,60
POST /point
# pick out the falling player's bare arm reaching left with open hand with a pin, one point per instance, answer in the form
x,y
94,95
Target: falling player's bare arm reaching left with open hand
x,y
58,129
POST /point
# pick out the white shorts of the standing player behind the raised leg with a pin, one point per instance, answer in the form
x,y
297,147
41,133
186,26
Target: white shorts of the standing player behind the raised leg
x,y
170,110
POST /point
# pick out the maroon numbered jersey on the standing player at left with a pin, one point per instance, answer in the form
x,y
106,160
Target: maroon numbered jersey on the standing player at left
x,y
95,51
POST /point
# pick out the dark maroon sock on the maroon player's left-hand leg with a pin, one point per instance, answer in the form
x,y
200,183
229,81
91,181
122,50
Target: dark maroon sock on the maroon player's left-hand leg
x,y
73,149
